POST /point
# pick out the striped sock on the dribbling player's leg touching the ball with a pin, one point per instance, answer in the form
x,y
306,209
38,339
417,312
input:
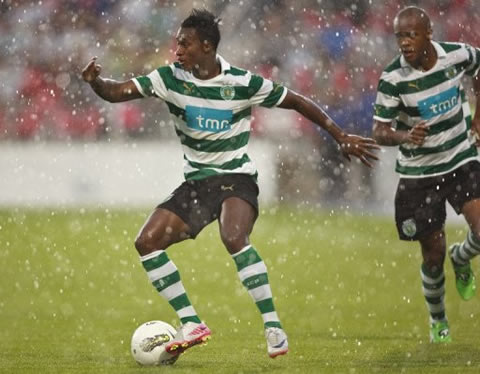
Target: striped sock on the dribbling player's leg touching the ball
x,y
166,279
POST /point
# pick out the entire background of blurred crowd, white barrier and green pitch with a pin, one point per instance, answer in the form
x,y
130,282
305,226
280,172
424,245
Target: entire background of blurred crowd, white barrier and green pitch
x,y
78,176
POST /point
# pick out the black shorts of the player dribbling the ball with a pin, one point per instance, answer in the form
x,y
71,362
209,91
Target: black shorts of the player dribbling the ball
x,y
199,202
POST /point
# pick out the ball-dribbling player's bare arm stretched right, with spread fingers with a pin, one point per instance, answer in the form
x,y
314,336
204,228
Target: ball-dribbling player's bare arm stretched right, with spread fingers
x,y
351,145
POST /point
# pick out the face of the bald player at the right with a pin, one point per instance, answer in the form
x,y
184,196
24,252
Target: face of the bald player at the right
x,y
413,38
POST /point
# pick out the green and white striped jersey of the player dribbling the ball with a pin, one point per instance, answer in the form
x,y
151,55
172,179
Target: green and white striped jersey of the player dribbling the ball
x,y
212,117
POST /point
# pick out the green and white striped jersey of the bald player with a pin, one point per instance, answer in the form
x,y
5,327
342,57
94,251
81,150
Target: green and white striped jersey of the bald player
x,y
407,96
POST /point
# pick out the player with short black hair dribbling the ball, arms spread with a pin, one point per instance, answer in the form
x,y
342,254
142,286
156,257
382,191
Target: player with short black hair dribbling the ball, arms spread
x,y
211,102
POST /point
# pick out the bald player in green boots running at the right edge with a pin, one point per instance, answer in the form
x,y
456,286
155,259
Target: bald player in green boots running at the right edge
x,y
422,108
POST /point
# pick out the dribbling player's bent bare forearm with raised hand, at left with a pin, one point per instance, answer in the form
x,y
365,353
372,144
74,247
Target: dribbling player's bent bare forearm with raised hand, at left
x,y
108,89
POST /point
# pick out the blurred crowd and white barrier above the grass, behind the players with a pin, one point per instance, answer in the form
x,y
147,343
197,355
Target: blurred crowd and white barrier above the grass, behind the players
x,y
56,135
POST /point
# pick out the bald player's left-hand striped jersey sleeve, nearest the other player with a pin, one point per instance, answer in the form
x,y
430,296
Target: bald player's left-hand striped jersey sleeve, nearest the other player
x,y
387,102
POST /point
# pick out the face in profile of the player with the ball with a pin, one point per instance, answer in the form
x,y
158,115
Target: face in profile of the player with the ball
x,y
190,50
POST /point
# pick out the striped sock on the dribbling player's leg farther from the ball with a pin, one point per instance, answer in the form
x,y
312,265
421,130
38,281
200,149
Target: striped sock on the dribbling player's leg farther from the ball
x,y
253,274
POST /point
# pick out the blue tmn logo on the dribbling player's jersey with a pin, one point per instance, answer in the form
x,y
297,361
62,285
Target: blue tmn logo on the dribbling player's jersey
x,y
208,119
